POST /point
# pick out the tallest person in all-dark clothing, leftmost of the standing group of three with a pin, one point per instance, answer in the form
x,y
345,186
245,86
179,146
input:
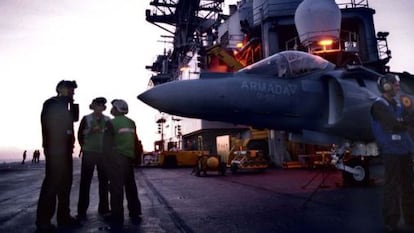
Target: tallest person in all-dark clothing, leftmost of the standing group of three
x,y
57,117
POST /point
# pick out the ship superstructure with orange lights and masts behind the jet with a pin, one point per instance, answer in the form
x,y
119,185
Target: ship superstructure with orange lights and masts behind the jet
x,y
258,29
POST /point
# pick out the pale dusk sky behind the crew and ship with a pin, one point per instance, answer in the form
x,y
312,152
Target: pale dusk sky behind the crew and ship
x,y
105,45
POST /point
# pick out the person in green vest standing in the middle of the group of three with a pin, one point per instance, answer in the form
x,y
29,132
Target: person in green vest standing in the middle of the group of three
x,y
90,137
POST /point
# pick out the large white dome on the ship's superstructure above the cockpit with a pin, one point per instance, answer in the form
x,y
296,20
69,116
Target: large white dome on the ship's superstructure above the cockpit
x,y
315,19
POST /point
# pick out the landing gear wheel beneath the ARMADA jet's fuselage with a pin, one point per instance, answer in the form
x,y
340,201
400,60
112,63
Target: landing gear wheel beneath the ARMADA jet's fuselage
x,y
356,179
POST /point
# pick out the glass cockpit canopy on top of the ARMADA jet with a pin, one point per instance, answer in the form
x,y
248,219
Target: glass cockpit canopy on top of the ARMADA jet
x,y
289,64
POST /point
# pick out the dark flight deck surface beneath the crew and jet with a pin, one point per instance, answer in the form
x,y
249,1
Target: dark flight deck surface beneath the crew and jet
x,y
175,200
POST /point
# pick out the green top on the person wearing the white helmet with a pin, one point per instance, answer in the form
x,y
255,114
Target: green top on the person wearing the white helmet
x,y
124,138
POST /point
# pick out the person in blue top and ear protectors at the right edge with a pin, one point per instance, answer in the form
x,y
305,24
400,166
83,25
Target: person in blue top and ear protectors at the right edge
x,y
390,128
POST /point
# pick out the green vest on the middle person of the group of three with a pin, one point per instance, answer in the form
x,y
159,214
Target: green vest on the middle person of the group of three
x,y
93,139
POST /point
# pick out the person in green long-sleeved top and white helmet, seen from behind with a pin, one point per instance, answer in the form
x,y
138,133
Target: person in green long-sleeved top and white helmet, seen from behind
x,y
121,147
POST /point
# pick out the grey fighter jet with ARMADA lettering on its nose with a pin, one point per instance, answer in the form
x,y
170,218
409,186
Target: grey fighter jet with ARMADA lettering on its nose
x,y
298,92
